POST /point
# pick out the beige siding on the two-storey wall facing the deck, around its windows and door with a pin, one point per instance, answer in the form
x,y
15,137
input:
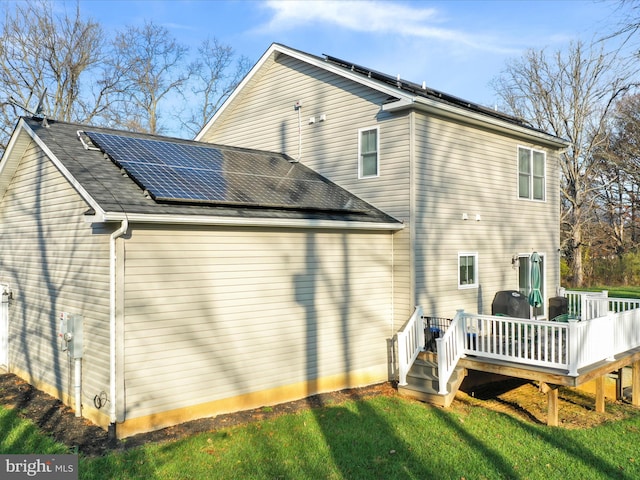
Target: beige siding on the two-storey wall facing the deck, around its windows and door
x,y
462,169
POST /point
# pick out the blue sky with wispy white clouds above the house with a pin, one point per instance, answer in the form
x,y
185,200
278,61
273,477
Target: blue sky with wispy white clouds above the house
x,y
455,46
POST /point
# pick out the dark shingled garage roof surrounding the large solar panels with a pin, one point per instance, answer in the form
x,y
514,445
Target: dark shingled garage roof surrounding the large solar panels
x,y
114,192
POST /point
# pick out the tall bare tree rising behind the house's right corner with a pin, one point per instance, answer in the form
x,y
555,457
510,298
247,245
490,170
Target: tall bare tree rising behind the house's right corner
x,y
570,94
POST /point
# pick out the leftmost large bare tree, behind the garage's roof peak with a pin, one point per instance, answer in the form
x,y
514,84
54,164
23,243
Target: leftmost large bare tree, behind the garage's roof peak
x,y
38,51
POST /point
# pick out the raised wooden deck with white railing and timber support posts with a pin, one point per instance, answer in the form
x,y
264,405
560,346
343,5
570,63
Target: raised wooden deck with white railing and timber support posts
x,y
601,339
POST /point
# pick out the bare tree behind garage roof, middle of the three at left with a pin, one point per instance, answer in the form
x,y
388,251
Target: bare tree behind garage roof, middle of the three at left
x,y
150,67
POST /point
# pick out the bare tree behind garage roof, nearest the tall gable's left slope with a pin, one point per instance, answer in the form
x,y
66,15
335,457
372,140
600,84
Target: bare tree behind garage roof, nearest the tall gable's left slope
x,y
215,76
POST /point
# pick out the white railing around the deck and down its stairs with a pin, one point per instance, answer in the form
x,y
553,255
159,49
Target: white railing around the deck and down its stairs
x,y
608,327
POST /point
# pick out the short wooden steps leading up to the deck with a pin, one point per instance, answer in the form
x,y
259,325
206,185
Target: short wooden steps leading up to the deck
x,y
422,381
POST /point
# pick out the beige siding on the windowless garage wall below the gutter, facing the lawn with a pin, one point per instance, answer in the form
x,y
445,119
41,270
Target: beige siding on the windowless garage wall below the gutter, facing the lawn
x,y
216,313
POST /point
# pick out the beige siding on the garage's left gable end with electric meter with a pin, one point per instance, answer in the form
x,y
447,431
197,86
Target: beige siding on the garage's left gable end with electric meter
x,y
53,262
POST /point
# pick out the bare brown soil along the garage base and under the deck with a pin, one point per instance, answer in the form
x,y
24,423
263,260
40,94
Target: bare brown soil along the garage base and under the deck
x,y
513,397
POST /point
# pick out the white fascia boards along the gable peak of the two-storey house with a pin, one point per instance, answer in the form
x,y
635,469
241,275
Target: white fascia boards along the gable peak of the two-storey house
x,y
276,49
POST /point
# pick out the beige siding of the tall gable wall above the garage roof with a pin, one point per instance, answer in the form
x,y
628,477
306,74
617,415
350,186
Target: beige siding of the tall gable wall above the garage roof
x,y
265,118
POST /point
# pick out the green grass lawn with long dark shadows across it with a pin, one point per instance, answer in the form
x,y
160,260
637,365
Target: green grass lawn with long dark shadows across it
x,y
375,438
